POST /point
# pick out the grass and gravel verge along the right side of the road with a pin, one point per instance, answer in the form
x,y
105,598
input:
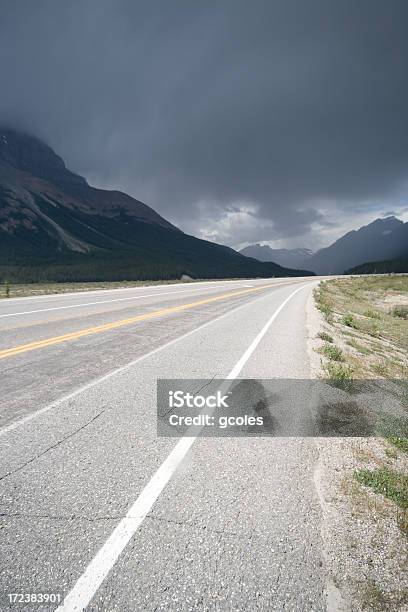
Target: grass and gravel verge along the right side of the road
x,y
362,344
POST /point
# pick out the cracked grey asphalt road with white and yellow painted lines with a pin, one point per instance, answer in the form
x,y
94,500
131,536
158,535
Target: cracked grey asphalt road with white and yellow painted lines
x,y
97,508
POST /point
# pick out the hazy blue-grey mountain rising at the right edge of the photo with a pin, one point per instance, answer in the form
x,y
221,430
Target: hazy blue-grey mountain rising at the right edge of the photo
x,y
383,239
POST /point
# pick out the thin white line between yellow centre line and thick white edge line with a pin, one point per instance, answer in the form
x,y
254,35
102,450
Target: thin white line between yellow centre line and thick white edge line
x,y
123,368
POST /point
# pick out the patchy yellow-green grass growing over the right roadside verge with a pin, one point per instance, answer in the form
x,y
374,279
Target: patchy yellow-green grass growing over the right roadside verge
x,y
360,318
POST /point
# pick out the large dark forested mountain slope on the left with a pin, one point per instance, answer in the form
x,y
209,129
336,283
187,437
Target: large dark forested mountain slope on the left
x,y
54,226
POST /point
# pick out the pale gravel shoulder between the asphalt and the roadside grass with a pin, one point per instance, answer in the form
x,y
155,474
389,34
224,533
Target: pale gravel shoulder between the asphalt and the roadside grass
x,y
364,533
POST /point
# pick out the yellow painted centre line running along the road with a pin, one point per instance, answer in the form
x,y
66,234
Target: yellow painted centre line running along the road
x,y
32,346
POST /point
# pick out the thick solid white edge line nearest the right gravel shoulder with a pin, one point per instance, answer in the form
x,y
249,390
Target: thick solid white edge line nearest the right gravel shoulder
x,y
97,570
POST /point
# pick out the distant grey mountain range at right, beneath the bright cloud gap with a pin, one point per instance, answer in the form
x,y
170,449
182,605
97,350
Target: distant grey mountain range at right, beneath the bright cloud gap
x,y
382,240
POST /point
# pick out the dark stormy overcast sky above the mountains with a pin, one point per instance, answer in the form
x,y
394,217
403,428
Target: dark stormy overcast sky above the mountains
x,y
240,121
